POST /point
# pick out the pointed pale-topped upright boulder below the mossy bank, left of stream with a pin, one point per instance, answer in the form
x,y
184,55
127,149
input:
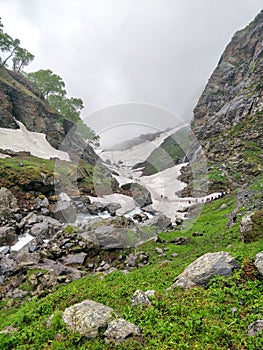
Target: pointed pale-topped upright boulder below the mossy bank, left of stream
x,y
64,210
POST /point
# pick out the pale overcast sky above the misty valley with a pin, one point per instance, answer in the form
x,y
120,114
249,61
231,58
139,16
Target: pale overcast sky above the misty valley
x,y
109,52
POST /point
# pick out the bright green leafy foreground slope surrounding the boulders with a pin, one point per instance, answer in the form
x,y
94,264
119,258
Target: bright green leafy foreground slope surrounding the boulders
x,y
194,319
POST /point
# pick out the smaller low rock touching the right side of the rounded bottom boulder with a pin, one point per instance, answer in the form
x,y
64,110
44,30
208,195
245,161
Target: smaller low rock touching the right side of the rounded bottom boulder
x,y
119,330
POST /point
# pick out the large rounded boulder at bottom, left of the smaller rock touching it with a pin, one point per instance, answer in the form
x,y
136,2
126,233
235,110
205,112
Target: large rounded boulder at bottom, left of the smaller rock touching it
x,y
88,317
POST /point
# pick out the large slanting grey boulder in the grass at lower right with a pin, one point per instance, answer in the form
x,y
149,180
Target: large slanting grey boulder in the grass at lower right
x,y
199,272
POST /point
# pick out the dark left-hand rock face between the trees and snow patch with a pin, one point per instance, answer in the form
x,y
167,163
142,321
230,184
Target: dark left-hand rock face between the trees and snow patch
x,y
20,101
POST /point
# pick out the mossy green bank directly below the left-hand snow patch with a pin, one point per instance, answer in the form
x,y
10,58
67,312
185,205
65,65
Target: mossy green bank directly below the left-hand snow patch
x,y
28,173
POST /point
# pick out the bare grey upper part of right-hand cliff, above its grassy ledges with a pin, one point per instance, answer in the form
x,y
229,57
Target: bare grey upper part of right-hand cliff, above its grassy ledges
x,y
234,90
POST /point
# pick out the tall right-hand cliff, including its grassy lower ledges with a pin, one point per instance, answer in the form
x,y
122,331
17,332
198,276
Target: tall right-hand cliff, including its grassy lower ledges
x,y
228,118
